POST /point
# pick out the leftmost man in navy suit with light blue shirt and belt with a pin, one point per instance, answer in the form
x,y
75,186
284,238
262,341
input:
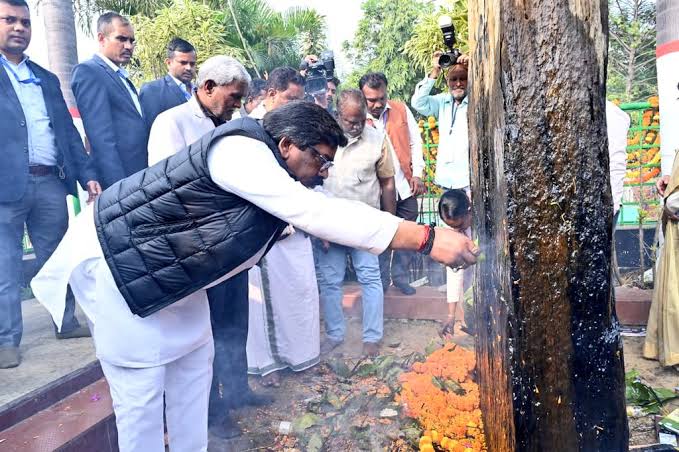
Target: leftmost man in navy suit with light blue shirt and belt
x,y
42,158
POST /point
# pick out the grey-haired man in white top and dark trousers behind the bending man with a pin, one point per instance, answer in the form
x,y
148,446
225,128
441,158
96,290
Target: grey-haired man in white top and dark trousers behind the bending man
x,y
171,132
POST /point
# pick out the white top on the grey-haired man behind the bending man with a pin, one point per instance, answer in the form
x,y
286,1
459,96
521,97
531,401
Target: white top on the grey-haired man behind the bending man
x,y
177,128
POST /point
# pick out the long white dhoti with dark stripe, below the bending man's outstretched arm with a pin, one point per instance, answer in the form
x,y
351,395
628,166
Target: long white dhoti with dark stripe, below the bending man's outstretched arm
x,y
284,323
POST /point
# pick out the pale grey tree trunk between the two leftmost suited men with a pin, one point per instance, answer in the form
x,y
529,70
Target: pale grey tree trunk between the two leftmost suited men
x,y
62,48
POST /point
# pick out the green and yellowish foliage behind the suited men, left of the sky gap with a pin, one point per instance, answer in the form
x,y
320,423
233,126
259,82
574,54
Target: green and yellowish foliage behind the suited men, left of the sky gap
x,y
261,37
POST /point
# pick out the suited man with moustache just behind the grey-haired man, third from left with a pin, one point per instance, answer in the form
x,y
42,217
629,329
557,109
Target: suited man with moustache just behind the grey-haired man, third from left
x,y
173,89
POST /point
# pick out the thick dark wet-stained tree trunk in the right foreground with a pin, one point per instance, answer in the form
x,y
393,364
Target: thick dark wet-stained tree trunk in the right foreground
x,y
549,354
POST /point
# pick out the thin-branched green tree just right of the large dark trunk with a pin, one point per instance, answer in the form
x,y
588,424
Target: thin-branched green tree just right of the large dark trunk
x,y
631,51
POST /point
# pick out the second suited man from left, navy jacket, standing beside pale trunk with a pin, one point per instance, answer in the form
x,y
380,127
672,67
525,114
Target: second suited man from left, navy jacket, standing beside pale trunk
x,y
109,105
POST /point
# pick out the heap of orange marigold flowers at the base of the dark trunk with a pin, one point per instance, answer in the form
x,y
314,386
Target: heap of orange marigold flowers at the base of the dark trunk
x,y
440,394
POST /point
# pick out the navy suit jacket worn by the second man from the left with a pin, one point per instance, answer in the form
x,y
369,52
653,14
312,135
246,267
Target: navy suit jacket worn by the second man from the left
x,y
117,133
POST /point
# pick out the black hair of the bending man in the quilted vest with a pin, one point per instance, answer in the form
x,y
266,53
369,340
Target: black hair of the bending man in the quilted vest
x,y
305,124
